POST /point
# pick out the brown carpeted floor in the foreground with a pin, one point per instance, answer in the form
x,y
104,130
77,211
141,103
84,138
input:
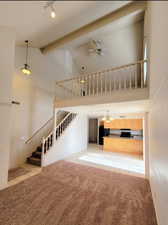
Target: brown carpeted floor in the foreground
x,y
71,194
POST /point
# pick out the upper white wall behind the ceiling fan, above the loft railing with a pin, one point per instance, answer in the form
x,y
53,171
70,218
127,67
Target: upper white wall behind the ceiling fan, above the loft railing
x,y
121,46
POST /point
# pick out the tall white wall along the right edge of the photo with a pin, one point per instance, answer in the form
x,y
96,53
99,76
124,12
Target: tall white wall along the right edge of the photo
x,y
158,24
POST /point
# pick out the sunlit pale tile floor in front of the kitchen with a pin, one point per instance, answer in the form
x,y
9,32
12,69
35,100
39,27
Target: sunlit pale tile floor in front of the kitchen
x,y
124,163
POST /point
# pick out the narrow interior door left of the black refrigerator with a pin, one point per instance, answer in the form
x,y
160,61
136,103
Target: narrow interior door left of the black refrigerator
x,y
93,130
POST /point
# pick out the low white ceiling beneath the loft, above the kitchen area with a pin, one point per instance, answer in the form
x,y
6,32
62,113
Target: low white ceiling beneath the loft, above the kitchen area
x,y
133,109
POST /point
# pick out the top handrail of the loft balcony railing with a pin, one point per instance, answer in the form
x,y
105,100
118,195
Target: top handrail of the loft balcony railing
x,y
101,71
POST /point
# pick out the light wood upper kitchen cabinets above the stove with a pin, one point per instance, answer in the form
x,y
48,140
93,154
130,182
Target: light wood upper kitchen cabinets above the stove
x,y
133,124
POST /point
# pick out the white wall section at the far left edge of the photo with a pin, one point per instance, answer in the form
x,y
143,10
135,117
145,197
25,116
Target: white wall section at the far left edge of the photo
x,y
7,47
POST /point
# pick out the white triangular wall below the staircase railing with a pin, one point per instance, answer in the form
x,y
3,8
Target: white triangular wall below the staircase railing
x,y
73,140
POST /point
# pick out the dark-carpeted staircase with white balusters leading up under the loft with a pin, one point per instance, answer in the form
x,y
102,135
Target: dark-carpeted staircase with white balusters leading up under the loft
x,y
48,142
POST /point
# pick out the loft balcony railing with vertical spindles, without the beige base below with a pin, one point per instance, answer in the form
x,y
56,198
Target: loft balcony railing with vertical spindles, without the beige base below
x,y
130,76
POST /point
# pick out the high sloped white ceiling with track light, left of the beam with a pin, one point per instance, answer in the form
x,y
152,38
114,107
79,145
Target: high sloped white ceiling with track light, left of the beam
x,y
32,22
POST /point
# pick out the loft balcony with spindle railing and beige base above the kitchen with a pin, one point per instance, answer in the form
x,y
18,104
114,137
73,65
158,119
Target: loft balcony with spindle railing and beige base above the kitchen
x,y
125,83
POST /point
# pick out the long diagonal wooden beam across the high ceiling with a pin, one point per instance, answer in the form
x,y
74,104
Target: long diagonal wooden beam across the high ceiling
x,y
101,22
